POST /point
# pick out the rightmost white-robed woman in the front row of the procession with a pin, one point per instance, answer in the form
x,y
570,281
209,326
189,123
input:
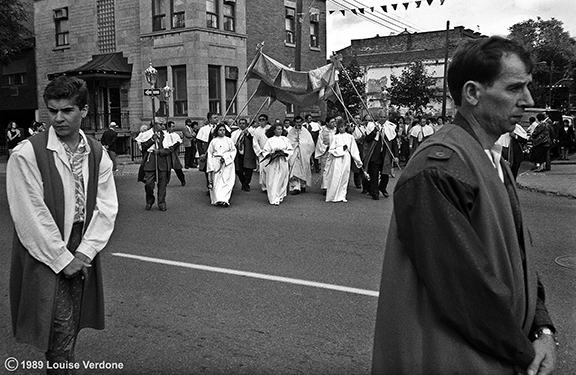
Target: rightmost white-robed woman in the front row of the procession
x,y
343,148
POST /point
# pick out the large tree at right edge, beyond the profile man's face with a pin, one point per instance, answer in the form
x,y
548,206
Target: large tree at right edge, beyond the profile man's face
x,y
554,53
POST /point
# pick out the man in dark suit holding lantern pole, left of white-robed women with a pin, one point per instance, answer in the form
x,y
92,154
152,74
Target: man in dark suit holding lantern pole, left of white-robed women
x,y
156,163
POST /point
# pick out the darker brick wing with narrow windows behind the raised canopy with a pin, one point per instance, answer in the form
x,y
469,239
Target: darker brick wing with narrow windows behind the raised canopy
x,y
274,22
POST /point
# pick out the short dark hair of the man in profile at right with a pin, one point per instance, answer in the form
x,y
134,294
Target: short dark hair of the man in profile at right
x,y
480,60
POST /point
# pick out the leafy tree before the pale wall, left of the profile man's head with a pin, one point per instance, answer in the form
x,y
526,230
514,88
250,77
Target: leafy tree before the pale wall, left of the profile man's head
x,y
413,89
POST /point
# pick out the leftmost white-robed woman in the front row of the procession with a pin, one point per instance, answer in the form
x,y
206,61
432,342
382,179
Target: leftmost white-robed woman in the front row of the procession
x,y
220,166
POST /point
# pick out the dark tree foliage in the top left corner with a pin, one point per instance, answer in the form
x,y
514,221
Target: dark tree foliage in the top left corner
x,y
14,34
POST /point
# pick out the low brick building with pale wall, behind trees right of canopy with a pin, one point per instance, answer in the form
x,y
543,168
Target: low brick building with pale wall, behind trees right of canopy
x,y
381,57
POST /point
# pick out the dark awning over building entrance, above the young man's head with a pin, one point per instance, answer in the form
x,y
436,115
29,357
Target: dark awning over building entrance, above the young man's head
x,y
106,66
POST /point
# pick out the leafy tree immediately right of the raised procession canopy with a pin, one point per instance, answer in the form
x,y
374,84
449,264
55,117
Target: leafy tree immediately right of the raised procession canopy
x,y
350,97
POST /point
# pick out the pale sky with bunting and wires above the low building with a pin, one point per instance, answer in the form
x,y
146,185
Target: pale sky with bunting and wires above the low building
x,y
489,17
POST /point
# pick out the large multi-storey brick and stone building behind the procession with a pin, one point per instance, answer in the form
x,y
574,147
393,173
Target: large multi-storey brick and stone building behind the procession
x,y
200,48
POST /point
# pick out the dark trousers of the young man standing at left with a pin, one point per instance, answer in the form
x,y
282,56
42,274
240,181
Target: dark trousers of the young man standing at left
x,y
66,313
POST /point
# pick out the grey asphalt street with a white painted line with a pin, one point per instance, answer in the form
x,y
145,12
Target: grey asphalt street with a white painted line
x,y
259,289
